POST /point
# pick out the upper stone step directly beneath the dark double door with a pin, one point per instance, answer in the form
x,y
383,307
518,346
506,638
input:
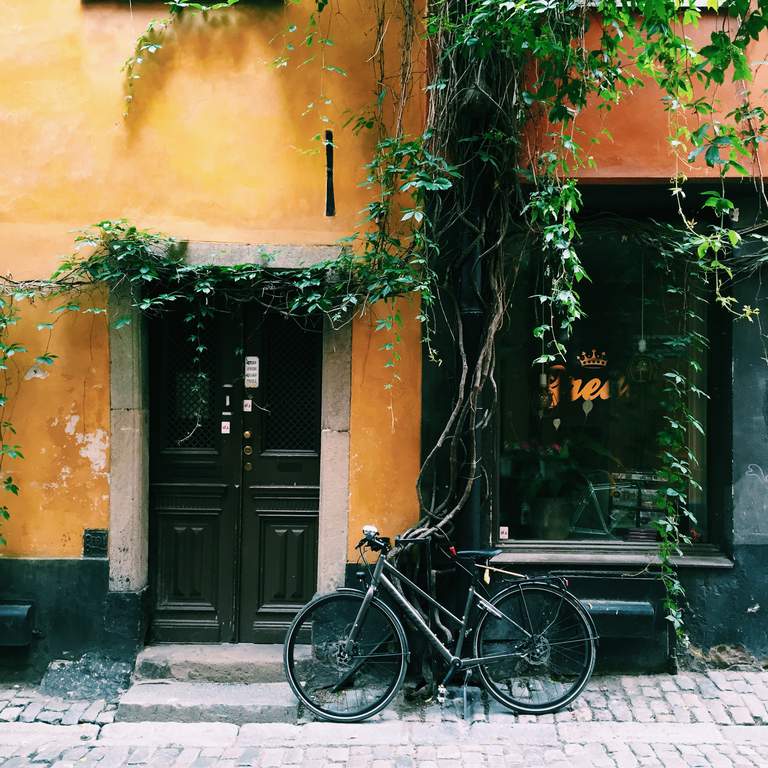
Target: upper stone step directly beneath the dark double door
x,y
224,663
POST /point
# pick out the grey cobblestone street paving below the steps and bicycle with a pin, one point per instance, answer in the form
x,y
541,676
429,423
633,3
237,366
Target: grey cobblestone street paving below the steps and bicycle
x,y
714,719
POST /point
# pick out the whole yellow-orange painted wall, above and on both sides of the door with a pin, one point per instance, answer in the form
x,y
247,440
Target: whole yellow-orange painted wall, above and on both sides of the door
x,y
214,149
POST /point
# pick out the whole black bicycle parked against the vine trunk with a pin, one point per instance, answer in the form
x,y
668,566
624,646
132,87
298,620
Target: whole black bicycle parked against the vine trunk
x,y
346,653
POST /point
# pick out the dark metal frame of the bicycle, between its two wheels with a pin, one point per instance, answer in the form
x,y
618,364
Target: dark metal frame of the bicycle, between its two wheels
x,y
454,659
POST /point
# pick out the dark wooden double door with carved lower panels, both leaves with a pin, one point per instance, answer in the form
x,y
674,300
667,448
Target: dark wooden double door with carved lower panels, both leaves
x,y
235,465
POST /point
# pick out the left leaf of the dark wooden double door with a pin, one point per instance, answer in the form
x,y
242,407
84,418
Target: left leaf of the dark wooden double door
x,y
194,481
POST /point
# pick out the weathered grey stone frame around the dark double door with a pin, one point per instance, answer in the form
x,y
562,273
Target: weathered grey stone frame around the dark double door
x,y
129,425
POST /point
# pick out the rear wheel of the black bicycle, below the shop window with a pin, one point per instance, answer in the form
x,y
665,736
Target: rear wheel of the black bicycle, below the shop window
x,y
545,648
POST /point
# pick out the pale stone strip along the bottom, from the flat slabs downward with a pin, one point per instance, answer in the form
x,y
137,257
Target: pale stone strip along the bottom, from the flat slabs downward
x,y
396,744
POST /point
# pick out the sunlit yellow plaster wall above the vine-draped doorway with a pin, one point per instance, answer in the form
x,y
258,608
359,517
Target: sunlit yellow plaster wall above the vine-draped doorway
x,y
214,146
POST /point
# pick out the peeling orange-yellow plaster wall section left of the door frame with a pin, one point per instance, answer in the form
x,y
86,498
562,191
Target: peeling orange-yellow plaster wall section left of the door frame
x,y
61,414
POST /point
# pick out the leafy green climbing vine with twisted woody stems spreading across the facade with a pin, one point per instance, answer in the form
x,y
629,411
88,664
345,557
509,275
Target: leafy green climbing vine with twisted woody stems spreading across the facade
x,y
488,187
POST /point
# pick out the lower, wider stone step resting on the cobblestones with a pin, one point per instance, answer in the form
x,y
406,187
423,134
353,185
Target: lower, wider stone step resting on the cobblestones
x,y
237,703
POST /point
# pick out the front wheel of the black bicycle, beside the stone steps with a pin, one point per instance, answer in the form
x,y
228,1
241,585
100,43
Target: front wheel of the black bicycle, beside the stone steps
x,y
341,681
